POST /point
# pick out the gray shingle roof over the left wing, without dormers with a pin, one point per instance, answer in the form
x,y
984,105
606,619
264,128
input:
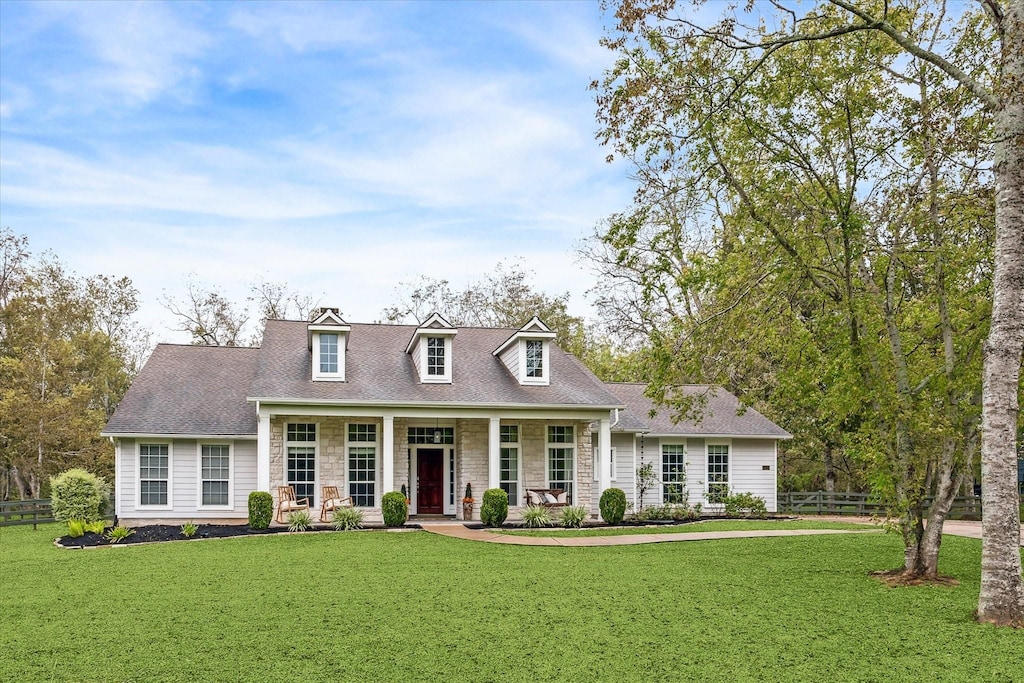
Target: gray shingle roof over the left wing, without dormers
x,y
190,391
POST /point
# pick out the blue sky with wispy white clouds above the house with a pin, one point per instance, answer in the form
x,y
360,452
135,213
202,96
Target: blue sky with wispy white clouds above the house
x,y
343,148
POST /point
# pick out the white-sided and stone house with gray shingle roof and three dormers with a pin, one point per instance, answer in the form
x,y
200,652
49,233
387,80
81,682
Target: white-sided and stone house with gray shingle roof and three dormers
x,y
373,408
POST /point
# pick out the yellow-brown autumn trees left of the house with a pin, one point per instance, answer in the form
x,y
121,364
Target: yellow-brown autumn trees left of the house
x,y
69,351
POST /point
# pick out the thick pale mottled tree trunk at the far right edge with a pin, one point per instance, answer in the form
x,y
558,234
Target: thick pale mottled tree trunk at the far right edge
x,y
1002,597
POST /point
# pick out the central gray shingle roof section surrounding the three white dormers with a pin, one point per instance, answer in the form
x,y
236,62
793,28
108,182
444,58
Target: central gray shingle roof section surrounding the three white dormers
x,y
378,370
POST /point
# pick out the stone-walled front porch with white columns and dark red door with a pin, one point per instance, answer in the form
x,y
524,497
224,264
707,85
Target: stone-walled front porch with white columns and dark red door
x,y
434,459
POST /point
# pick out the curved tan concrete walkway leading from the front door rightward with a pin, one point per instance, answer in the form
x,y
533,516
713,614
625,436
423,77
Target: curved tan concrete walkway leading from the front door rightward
x,y
460,531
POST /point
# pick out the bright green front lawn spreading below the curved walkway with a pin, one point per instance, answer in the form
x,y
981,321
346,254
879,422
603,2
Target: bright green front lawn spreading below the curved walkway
x,y
415,607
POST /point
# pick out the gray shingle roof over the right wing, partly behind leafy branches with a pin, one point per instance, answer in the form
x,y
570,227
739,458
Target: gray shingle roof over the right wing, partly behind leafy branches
x,y
719,416
